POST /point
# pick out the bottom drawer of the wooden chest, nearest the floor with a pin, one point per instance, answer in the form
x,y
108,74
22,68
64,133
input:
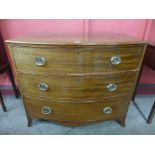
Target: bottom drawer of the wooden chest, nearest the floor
x,y
68,111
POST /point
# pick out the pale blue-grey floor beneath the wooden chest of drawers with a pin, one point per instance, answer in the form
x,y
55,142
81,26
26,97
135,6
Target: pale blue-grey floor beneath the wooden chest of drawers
x,y
14,122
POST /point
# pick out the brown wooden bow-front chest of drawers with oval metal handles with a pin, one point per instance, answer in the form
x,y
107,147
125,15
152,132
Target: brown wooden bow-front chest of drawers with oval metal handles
x,y
77,81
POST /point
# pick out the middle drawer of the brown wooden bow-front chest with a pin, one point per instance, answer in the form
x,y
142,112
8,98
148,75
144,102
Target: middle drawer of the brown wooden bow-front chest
x,y
77,87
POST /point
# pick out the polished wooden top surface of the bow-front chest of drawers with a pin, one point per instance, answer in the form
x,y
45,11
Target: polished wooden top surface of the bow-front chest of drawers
x,y
76,39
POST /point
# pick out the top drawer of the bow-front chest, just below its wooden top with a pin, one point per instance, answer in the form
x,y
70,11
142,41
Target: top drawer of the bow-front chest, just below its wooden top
x,y
96,59
